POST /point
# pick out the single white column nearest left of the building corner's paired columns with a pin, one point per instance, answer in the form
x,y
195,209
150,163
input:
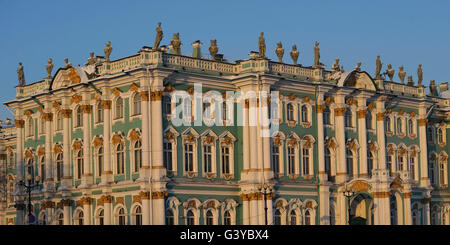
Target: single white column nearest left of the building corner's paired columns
x,y
107,175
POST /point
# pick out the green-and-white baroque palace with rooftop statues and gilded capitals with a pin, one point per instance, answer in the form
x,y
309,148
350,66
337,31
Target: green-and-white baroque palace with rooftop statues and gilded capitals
x,y
109,151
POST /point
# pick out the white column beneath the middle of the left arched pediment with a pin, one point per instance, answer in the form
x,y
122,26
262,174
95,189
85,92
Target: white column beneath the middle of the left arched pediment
x,y
67,179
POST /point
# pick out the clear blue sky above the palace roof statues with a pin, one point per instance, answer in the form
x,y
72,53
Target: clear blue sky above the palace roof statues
x,y
403,32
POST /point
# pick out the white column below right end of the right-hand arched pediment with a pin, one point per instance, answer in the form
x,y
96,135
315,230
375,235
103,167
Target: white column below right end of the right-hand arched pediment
x,y
381,135
